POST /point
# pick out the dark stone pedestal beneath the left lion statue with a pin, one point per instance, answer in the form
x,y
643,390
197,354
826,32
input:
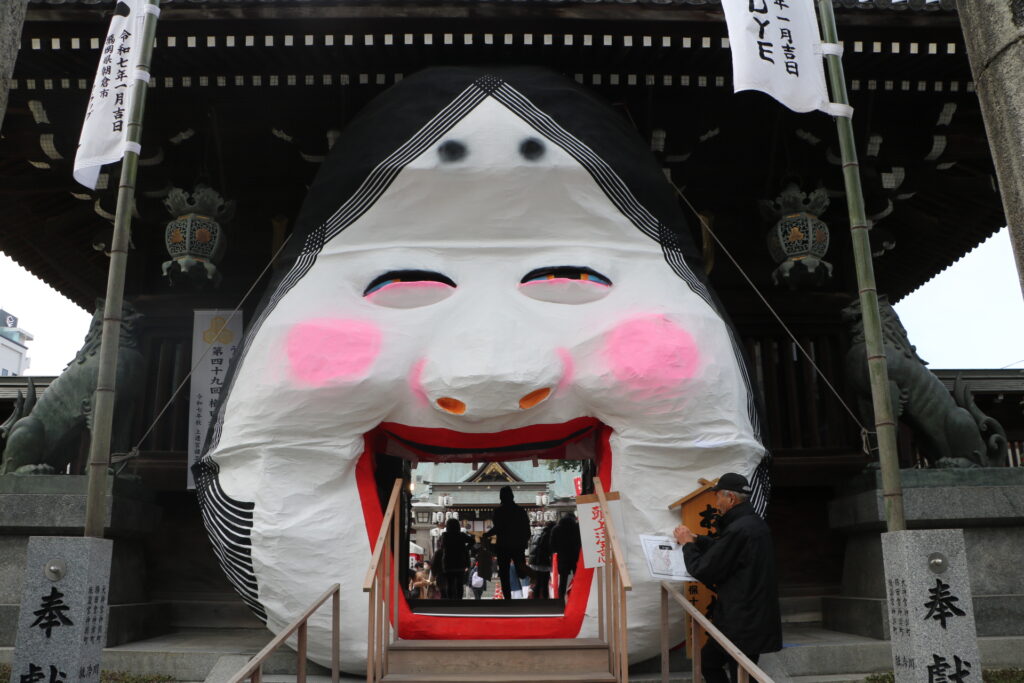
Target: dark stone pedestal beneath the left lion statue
x,y
55,505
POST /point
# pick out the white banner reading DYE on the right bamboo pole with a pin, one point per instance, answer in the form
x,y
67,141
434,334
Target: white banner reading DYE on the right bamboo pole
x,y
777,49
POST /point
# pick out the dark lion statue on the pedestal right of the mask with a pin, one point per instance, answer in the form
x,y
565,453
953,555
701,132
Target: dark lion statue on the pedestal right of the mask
x,y
952,434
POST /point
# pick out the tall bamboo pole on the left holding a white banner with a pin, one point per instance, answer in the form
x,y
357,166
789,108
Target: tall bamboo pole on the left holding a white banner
x,y
103,403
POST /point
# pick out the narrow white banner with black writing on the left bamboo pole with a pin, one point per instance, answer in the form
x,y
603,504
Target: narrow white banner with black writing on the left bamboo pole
x,y
106,127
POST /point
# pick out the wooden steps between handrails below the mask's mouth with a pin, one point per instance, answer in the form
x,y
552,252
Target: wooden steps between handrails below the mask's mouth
x,y
528,661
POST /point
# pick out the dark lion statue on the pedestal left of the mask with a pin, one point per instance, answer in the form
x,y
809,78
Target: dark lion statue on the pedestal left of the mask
x,y
42,436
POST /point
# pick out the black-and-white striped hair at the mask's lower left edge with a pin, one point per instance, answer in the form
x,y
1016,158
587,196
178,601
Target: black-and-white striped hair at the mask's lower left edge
x,y
229,524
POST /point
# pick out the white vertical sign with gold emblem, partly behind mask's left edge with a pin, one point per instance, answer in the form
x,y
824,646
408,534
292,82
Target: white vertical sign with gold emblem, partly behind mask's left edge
x,y
216,337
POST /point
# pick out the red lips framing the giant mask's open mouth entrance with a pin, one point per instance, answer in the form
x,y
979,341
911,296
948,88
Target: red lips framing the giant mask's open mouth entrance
x,y
388,452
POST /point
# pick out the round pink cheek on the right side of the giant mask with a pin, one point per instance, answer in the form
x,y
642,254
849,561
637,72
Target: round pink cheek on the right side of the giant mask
x,y
652,353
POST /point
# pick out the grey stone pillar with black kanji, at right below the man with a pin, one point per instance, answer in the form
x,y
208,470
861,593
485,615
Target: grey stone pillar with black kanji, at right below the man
x,y
931,616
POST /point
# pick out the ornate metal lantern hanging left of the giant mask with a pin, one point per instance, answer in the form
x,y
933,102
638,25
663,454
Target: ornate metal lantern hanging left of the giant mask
x,y
195,238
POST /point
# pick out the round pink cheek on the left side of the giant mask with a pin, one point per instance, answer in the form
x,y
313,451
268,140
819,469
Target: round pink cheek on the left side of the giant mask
x,y
324,351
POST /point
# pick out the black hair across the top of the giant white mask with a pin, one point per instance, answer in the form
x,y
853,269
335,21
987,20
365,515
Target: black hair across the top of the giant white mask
x,y
404,112
